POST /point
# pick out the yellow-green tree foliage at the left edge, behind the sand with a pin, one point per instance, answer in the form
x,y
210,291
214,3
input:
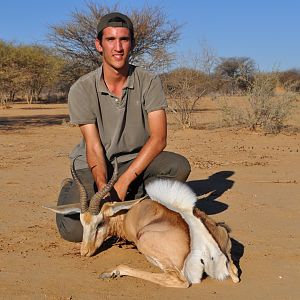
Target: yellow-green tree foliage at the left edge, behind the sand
x,y
26,70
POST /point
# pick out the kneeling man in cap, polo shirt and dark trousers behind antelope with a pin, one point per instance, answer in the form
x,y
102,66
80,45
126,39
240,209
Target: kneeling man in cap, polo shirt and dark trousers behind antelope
x,y
120,109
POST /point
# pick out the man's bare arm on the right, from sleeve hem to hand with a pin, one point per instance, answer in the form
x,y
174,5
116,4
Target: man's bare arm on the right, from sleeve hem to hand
x,y
155,144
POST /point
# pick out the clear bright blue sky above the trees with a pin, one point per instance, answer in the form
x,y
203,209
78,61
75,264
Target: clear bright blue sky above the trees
x,y
267,31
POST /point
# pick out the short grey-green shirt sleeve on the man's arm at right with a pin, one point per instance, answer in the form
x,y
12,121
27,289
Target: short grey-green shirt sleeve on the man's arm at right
x,y
154,98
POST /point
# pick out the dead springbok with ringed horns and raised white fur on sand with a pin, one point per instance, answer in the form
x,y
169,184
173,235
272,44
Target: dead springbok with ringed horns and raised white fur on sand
x,y
167,228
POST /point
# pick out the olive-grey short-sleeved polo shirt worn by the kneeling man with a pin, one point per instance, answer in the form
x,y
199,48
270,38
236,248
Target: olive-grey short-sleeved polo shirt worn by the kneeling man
x,y
122,123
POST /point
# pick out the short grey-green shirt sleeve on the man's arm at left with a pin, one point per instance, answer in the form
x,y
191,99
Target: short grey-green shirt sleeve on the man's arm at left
x,y
80,106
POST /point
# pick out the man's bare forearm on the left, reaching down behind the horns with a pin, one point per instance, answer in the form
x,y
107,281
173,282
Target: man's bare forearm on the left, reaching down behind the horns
x,y
95,154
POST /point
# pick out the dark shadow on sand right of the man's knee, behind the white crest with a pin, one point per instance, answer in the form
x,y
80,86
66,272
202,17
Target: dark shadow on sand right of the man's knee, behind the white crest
x,y
215,185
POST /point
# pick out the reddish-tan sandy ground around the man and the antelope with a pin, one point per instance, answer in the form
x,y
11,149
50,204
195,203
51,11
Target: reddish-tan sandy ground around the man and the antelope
x,y
249,180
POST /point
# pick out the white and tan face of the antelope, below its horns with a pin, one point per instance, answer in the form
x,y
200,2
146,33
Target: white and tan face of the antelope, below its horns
x,y
94,232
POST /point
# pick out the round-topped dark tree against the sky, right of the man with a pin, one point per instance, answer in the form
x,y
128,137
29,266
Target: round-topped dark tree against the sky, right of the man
x,y
236,73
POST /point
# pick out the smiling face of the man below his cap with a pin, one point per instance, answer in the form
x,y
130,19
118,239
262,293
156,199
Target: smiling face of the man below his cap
x,y
115,47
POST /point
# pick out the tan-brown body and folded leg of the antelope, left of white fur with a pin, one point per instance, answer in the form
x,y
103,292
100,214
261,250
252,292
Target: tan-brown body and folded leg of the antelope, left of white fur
x,y
155,230
